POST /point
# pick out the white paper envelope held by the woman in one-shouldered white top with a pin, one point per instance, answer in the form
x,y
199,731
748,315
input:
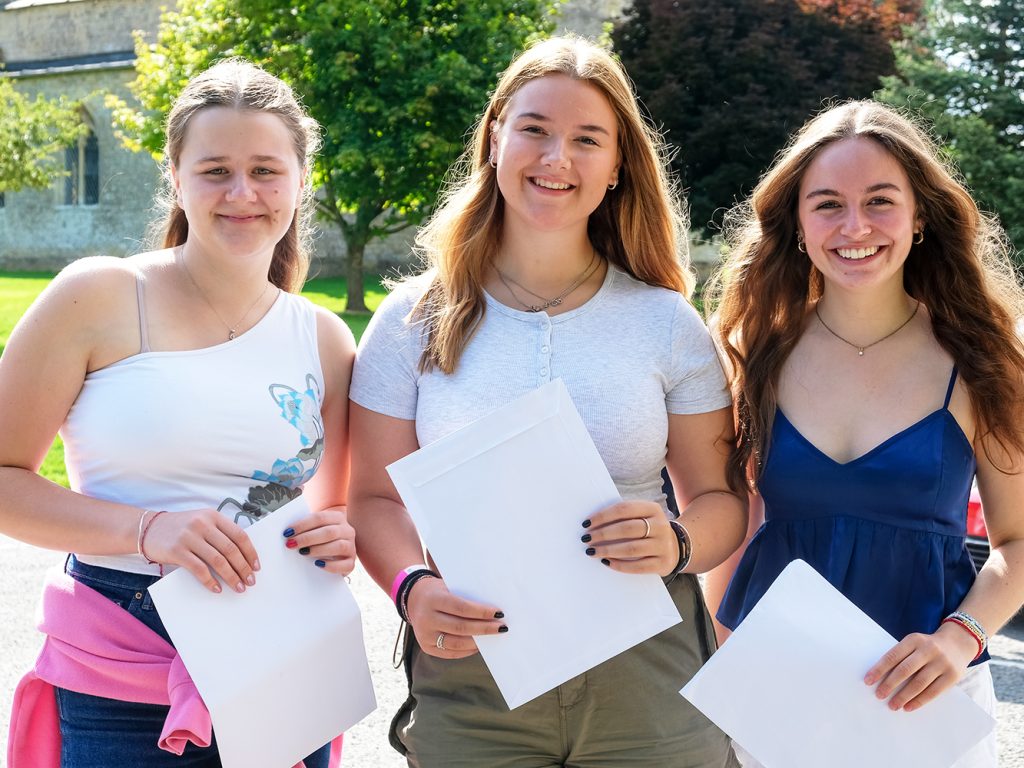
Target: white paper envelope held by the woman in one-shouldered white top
x,y
282,667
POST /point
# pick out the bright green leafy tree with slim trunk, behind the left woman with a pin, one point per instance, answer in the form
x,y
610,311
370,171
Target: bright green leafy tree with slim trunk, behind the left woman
x,y
395,83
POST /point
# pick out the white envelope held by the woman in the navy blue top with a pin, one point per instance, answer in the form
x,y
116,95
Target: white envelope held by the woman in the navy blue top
x,y
789,688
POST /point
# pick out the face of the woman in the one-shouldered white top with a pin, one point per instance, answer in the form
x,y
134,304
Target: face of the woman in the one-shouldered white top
x,y
238,181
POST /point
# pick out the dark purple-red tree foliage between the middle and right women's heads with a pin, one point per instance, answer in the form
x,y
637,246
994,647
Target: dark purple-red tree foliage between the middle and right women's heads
x,y
730,81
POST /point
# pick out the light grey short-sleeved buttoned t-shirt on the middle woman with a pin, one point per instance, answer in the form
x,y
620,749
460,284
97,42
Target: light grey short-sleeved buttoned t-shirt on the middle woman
x,y
629,357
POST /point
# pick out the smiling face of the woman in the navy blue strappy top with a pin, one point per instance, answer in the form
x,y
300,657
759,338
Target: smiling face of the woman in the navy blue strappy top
x,y
858,215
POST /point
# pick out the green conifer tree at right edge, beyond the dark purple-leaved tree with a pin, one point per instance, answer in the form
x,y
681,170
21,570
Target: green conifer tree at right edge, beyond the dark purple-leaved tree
x,y
964,70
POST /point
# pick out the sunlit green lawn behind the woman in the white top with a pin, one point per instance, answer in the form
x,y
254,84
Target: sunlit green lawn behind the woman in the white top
x,y
18,290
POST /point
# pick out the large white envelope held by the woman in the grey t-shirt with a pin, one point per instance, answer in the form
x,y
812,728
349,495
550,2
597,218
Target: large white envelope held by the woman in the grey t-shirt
x,y
499,504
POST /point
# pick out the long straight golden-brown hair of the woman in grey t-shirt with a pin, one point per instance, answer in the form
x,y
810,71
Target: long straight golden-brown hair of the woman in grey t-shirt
x,y
639,227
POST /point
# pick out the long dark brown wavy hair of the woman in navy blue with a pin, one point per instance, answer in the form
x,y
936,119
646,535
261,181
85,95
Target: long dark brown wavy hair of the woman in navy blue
x,y
961,272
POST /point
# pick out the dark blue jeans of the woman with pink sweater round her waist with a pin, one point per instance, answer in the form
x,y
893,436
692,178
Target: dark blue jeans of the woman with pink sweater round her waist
x,y
98,733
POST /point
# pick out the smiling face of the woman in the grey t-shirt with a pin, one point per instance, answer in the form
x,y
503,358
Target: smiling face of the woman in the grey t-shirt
x,y
557,148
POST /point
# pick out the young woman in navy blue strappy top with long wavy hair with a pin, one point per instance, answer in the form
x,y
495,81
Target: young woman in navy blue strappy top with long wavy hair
x,y
870,316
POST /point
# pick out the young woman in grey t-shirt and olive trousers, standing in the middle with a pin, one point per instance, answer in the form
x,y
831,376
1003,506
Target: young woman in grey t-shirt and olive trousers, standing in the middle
x,y
558,255
